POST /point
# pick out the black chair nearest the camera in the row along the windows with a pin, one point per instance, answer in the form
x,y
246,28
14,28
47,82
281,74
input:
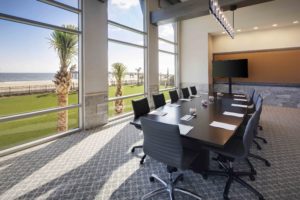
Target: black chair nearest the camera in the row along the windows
x,y
140,108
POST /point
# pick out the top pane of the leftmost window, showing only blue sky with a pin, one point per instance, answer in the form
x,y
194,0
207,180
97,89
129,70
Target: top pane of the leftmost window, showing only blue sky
x,y
38,11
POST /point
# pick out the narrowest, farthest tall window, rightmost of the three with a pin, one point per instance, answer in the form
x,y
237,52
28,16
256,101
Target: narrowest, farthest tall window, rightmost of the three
x,y
167,47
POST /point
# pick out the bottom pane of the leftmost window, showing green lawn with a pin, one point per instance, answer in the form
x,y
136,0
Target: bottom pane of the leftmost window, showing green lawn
x,y
28,129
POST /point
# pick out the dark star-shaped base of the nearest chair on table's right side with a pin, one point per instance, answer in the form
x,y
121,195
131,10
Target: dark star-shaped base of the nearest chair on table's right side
x,y
233,176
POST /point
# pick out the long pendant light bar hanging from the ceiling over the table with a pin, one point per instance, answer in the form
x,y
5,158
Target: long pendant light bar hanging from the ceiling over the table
x,y
215,10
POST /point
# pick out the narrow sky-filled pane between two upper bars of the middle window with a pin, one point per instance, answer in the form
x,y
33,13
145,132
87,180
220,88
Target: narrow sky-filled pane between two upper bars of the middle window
x,y
124,35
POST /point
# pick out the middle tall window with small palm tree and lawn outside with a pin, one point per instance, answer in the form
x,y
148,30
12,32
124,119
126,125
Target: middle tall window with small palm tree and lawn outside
x,y
126,54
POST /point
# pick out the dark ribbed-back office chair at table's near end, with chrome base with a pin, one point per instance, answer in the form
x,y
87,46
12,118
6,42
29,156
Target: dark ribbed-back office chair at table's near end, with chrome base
x,y
162,142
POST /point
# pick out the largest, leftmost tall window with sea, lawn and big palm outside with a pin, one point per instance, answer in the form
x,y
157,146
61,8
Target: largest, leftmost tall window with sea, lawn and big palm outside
x,y
39,70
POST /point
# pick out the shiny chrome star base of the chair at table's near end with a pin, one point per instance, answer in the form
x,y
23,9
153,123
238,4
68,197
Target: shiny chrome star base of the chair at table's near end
x,y
169,187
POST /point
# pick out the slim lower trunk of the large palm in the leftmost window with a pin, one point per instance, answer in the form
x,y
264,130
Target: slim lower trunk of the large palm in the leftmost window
x,y
62,122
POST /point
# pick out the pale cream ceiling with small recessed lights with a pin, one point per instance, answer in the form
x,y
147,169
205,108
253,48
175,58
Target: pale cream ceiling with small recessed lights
x,y
264,15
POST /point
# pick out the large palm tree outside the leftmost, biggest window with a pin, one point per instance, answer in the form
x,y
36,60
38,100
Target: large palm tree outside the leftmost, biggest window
x,y
65,45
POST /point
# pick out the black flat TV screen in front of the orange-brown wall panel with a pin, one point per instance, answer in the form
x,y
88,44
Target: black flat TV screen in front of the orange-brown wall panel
x,y
231,68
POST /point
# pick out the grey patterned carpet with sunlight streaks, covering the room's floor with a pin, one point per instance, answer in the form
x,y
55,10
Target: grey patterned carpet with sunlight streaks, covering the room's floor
x,y
99,165
